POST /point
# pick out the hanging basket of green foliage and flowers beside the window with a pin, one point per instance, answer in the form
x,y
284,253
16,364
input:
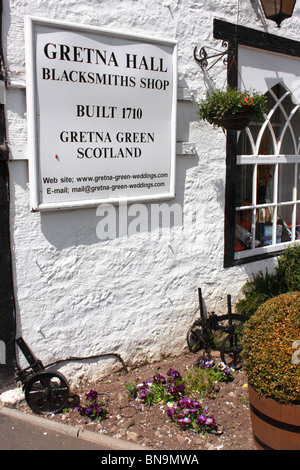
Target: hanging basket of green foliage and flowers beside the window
x,y
232,109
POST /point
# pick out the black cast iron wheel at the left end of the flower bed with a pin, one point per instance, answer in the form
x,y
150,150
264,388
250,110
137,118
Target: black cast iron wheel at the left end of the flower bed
x,y
47,392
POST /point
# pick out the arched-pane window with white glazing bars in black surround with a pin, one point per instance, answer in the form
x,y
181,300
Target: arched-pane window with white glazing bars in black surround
x,y
268,178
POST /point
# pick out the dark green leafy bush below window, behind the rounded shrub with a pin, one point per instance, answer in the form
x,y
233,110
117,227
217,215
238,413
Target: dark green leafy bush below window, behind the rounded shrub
x,y
263,286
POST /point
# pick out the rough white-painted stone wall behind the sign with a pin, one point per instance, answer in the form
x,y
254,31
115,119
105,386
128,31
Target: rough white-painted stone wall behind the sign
x,y
135,295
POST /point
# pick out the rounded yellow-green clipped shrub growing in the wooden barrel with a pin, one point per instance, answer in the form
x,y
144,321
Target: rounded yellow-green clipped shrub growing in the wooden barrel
x,y
268,348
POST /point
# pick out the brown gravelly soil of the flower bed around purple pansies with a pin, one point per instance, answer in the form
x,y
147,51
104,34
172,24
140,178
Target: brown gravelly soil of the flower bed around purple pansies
x,y
128,419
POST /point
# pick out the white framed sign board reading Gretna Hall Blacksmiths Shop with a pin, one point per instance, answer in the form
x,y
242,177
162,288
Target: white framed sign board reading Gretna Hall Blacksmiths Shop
x,y
101,115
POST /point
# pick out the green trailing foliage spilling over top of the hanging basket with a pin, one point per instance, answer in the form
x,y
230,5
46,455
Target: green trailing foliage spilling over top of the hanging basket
x,y
231,100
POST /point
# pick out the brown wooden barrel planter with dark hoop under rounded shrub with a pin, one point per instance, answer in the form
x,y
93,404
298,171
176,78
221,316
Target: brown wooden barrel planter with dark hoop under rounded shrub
x,y
275,426
